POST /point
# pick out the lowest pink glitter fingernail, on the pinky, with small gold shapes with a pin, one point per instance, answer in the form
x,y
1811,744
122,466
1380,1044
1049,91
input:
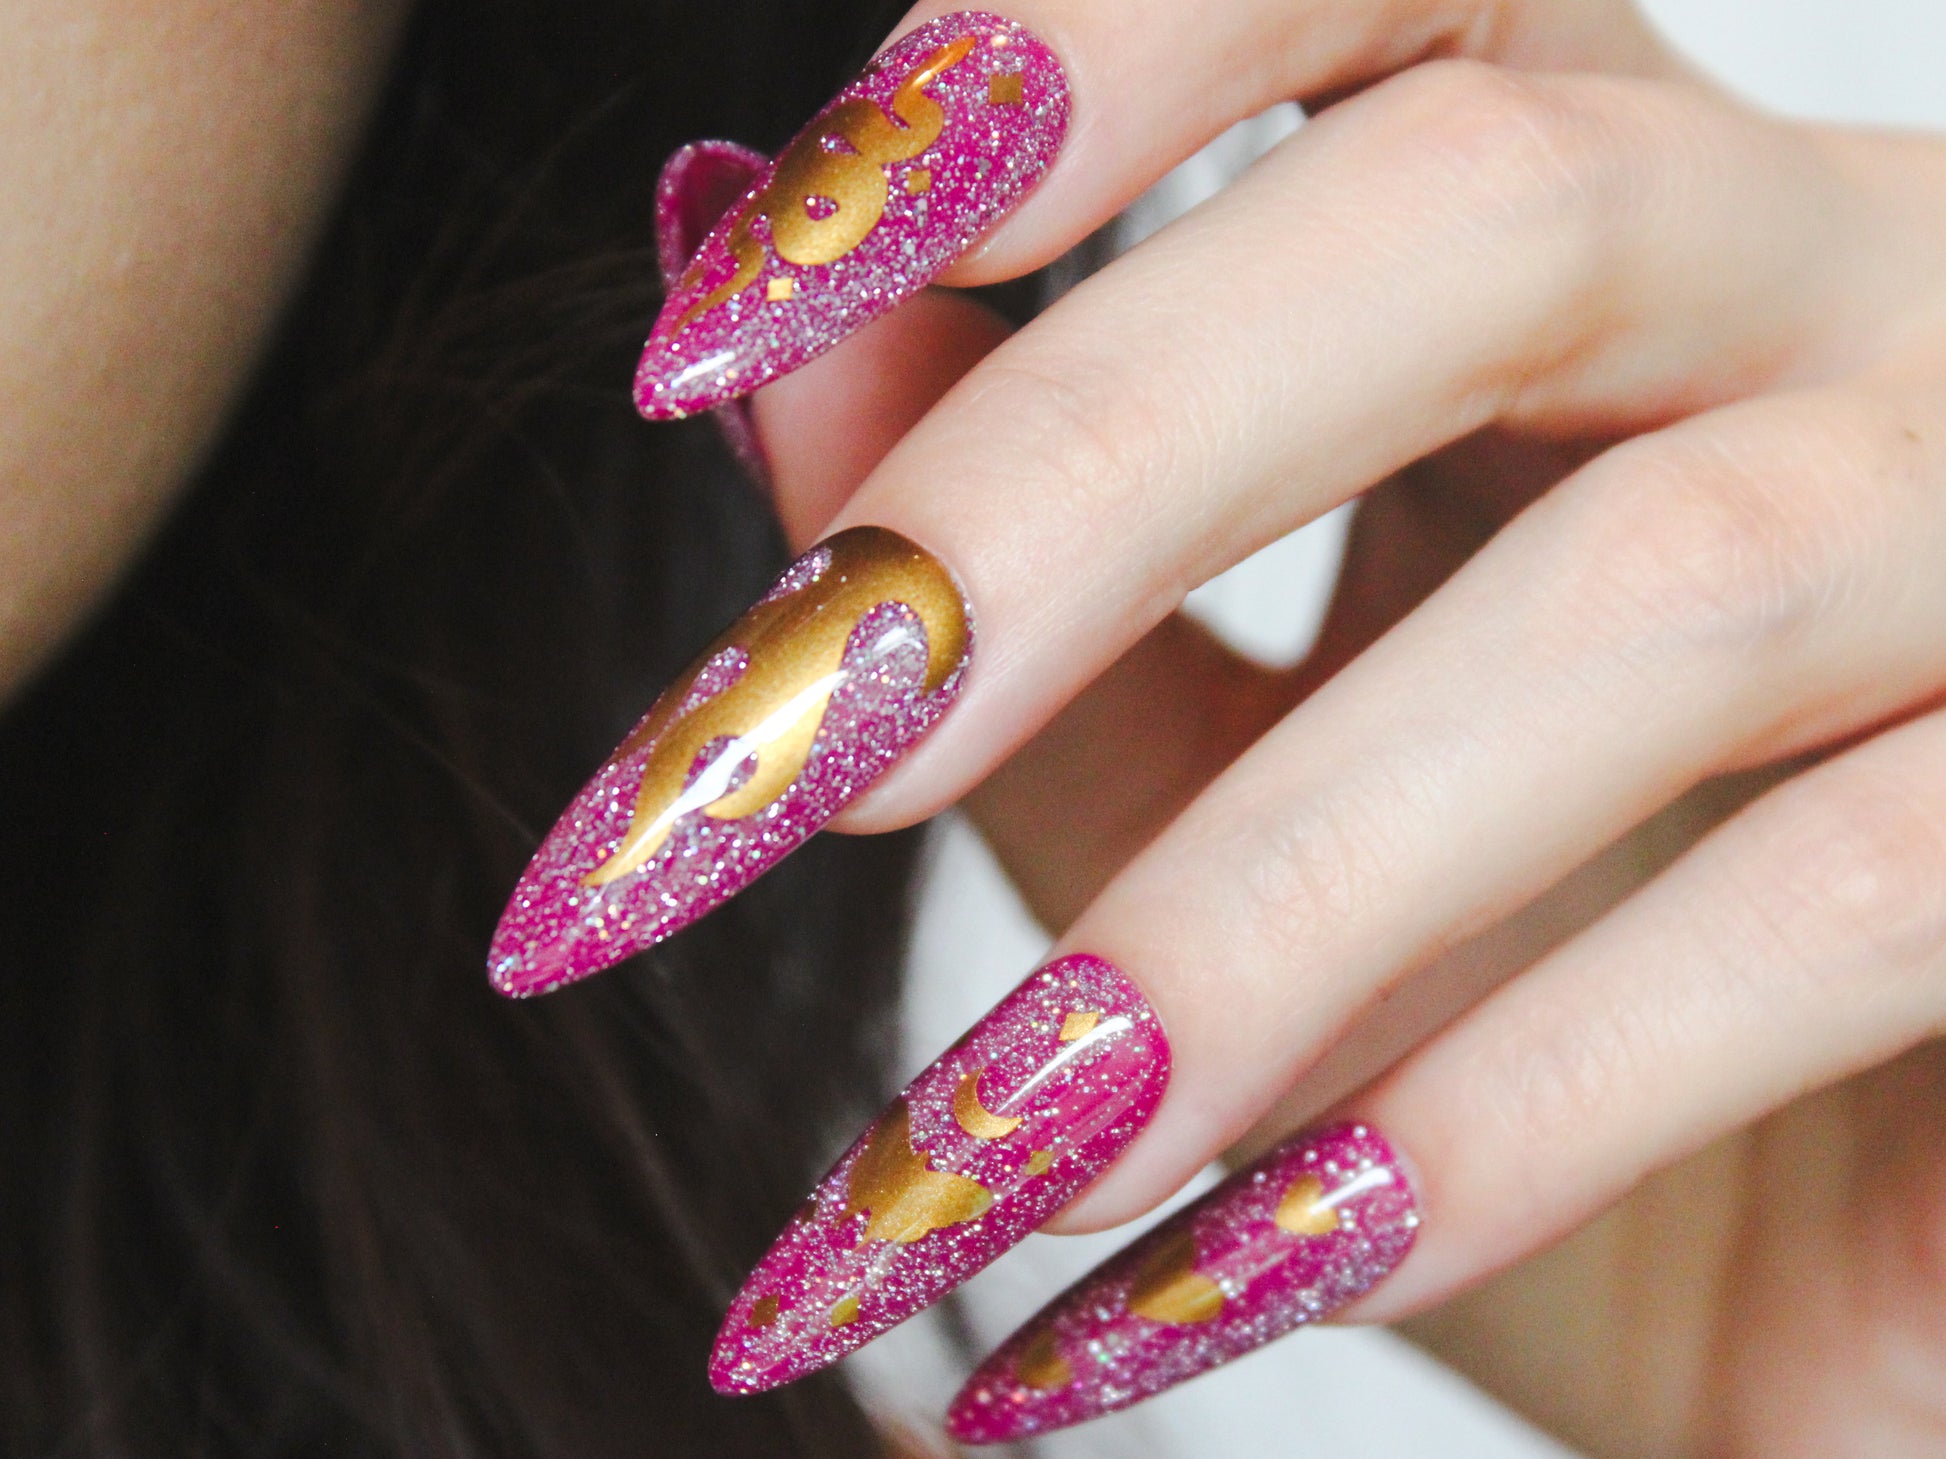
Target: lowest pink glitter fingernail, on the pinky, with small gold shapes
x,y
1285,1242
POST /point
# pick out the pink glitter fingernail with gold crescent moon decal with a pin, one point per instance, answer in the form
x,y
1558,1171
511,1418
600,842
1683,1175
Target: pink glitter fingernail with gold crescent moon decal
x,y
982,1149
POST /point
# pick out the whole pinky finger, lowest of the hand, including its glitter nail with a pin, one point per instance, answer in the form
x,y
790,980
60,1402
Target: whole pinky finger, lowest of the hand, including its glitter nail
x,y
1799,944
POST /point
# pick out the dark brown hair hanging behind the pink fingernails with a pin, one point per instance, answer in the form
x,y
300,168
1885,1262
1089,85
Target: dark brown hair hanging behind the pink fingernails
x,y
281,1174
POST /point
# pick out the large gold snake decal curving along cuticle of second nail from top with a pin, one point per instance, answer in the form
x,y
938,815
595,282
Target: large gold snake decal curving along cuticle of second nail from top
x,y
795,649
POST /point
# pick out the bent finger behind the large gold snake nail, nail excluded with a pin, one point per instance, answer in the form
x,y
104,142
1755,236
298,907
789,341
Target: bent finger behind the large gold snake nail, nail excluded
x,y
1534,240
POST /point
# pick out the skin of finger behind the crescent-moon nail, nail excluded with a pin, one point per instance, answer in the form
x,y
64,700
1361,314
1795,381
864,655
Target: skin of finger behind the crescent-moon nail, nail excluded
x,y
1729,592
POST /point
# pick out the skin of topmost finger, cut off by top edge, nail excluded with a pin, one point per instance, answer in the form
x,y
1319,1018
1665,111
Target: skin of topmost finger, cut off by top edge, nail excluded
x,y
1155,83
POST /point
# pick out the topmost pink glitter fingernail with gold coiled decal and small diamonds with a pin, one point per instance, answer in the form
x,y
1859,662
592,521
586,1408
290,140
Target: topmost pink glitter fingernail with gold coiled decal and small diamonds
x,y
939,139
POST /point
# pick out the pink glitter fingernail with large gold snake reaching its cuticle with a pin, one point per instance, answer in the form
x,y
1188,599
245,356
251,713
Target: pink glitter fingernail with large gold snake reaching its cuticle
x,y
814,694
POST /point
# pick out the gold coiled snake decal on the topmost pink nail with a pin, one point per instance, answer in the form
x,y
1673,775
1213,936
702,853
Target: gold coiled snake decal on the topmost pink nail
x,y
855,182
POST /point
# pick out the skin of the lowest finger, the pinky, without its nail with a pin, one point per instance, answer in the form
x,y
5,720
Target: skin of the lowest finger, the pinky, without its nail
x,y
1797,946
